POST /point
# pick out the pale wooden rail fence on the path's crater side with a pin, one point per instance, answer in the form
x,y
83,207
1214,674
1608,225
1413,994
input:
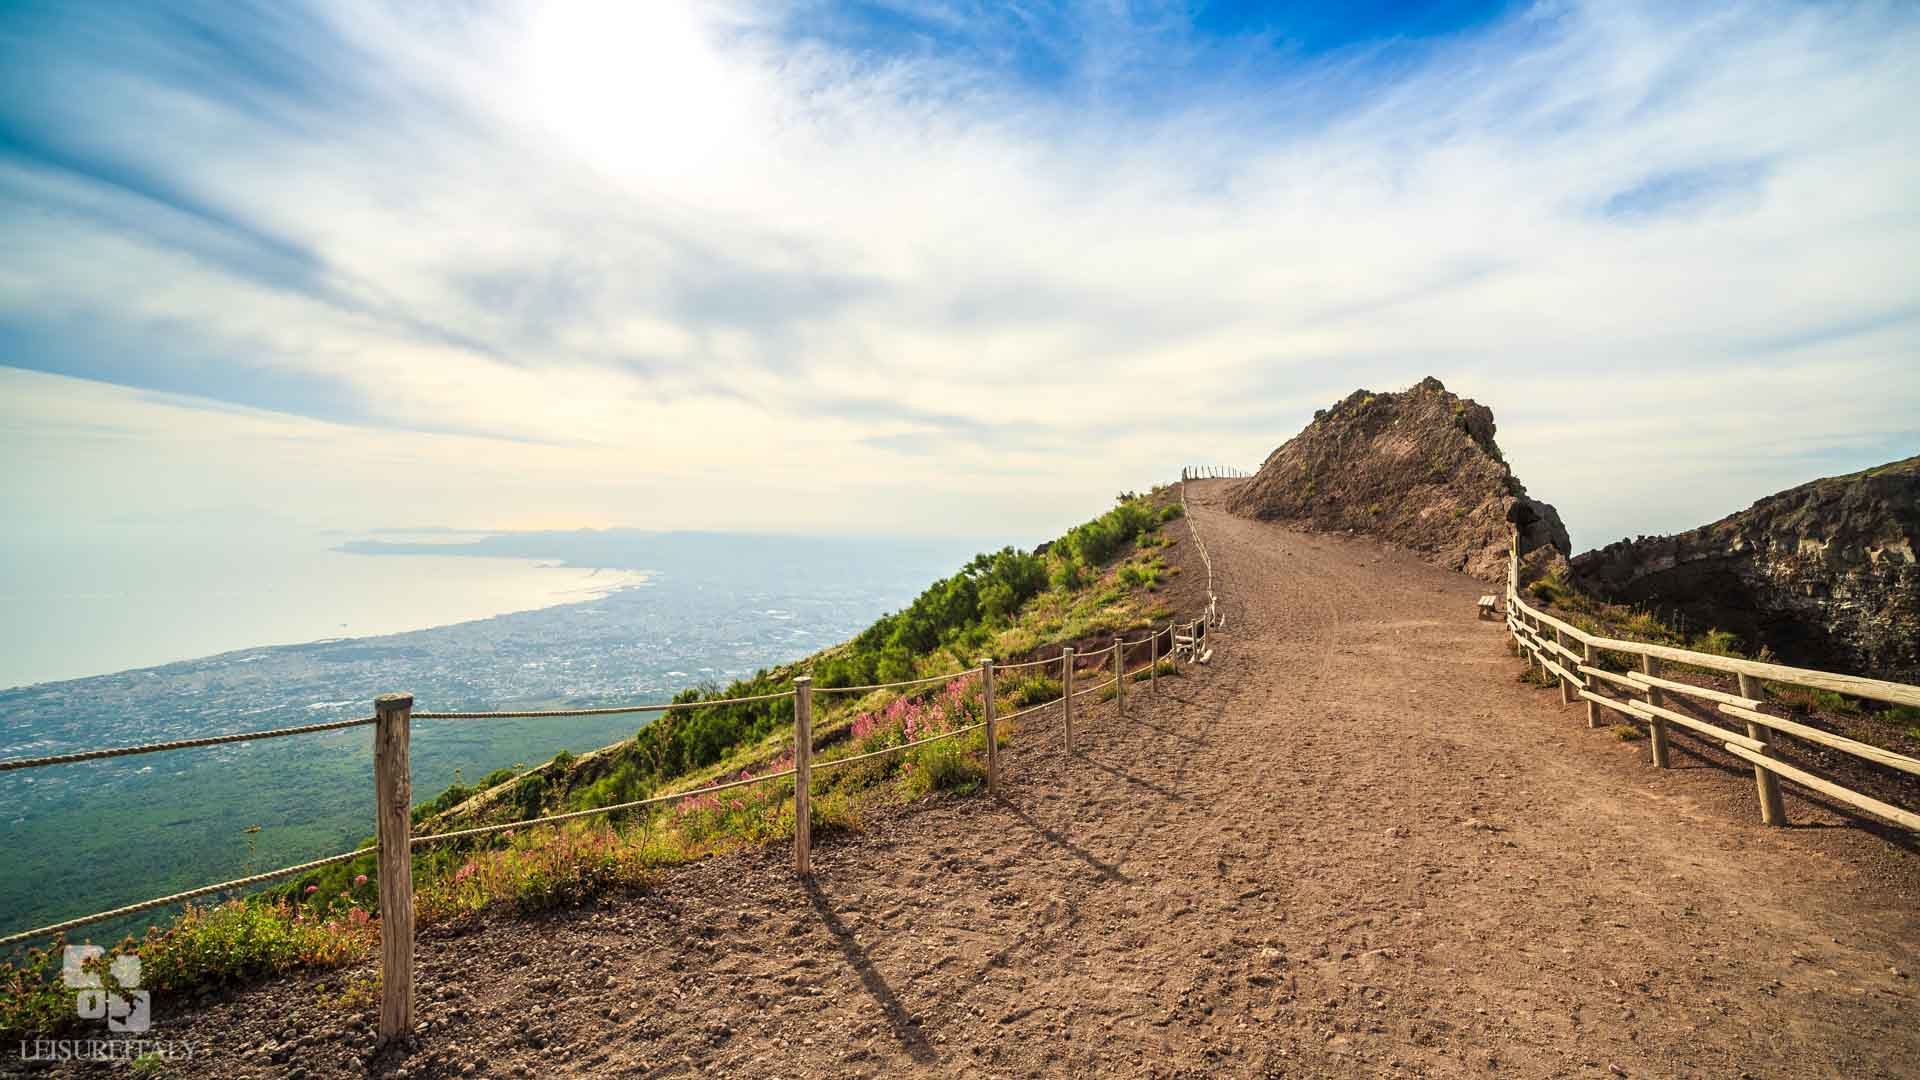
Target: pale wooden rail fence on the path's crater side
x,y
1543,641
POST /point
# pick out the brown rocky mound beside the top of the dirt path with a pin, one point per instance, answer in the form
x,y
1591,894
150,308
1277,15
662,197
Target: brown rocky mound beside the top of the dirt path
x,y
1418,468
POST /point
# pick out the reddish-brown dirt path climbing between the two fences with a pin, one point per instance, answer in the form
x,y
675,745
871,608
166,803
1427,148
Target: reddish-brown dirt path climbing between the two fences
x,y
1353,847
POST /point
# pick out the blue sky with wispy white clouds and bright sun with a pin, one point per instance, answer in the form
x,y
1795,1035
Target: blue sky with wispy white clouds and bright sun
x,y
934,266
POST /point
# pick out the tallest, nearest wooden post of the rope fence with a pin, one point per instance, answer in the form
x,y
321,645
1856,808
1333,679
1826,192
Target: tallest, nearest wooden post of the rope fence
x,y
393,779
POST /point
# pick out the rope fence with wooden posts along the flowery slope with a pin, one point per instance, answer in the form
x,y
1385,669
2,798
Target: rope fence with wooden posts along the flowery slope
x,y
393,777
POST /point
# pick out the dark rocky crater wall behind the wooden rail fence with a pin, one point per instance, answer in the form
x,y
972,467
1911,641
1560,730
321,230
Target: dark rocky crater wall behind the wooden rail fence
x,y
1823,574
